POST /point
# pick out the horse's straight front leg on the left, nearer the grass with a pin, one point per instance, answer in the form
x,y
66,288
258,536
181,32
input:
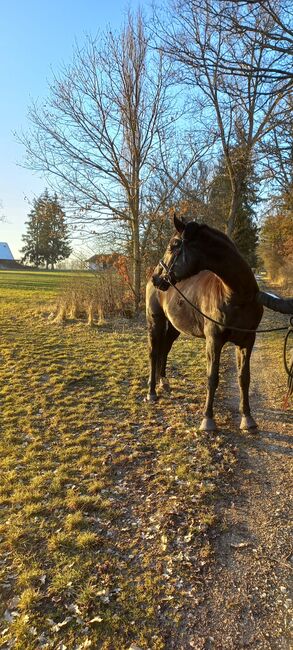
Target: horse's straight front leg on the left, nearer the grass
x,y
213,353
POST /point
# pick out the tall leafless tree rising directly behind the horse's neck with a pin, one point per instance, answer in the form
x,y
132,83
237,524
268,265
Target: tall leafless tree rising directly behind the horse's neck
x,y
228,76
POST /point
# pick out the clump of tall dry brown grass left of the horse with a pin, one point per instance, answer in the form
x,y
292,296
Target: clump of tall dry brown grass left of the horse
x,y
97,297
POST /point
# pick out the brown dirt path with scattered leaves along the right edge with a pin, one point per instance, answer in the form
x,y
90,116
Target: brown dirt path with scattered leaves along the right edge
x,y
248,599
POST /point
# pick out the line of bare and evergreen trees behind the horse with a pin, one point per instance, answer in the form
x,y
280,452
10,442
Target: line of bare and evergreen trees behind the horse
x,y
189,109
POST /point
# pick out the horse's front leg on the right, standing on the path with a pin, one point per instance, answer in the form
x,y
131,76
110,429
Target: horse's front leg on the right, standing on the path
x,y
243,362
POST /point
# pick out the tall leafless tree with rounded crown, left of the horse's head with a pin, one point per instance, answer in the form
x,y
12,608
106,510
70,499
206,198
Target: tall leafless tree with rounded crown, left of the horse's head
x,y
99,133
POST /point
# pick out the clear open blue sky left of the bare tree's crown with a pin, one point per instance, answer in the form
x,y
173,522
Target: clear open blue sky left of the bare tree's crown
x,y
36,38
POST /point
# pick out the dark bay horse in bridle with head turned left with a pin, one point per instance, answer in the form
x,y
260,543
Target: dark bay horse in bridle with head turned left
x,y
209,270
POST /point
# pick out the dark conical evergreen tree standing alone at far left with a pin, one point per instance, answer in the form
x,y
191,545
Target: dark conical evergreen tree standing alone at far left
x,y
46,240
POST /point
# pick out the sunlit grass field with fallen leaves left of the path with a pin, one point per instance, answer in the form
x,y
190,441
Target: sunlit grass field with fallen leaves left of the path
x,y
106,502
